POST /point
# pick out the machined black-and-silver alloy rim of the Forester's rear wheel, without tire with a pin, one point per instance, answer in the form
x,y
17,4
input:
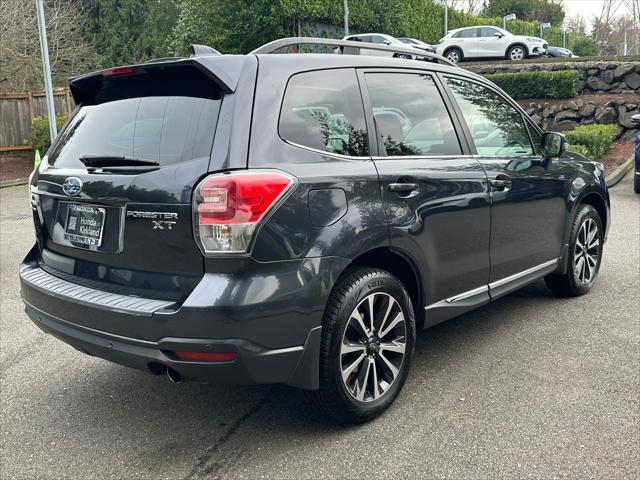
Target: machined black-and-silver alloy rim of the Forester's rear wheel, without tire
x,y
373,347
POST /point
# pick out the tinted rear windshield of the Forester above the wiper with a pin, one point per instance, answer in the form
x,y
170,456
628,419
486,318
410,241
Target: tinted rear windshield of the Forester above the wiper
x,y
163,129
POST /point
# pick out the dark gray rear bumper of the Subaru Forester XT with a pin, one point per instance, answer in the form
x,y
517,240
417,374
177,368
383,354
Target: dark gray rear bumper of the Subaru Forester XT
x,y
269,316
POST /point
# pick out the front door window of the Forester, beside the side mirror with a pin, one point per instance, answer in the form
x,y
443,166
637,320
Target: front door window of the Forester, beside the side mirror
x,y
496,127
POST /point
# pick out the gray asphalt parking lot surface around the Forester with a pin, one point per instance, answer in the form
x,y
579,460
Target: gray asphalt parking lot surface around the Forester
x,y
529,387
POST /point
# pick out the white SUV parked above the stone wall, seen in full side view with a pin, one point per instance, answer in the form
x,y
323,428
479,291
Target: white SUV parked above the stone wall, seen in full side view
x,y
487,42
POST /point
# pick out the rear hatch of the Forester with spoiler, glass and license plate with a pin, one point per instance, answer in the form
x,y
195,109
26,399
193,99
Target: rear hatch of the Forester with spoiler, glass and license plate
x,y
112,198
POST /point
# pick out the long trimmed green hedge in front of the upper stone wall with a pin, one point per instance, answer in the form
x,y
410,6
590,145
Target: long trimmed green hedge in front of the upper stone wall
x,y
538,84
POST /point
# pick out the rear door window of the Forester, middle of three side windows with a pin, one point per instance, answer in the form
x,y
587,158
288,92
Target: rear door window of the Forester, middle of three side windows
x,y
410,115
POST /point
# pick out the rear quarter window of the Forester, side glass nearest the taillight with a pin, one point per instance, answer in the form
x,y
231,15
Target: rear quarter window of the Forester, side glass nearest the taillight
x,y
323,110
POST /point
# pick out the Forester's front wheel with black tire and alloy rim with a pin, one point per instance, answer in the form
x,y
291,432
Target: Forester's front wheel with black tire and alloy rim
x,y
585,255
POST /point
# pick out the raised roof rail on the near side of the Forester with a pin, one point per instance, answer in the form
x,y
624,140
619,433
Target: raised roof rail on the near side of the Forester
x,y
283,45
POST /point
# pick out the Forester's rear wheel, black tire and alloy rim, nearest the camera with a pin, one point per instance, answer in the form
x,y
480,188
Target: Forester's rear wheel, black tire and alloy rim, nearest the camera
x,y
368,338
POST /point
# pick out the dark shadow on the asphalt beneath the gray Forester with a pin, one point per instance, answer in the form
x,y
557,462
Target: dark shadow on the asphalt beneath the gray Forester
x,y
196,426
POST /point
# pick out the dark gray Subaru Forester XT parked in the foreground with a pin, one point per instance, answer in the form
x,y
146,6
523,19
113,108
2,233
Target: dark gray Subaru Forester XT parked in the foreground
x,y
295,218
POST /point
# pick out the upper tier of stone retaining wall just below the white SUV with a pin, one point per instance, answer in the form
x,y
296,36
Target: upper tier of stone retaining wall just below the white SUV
x,y
593,76
